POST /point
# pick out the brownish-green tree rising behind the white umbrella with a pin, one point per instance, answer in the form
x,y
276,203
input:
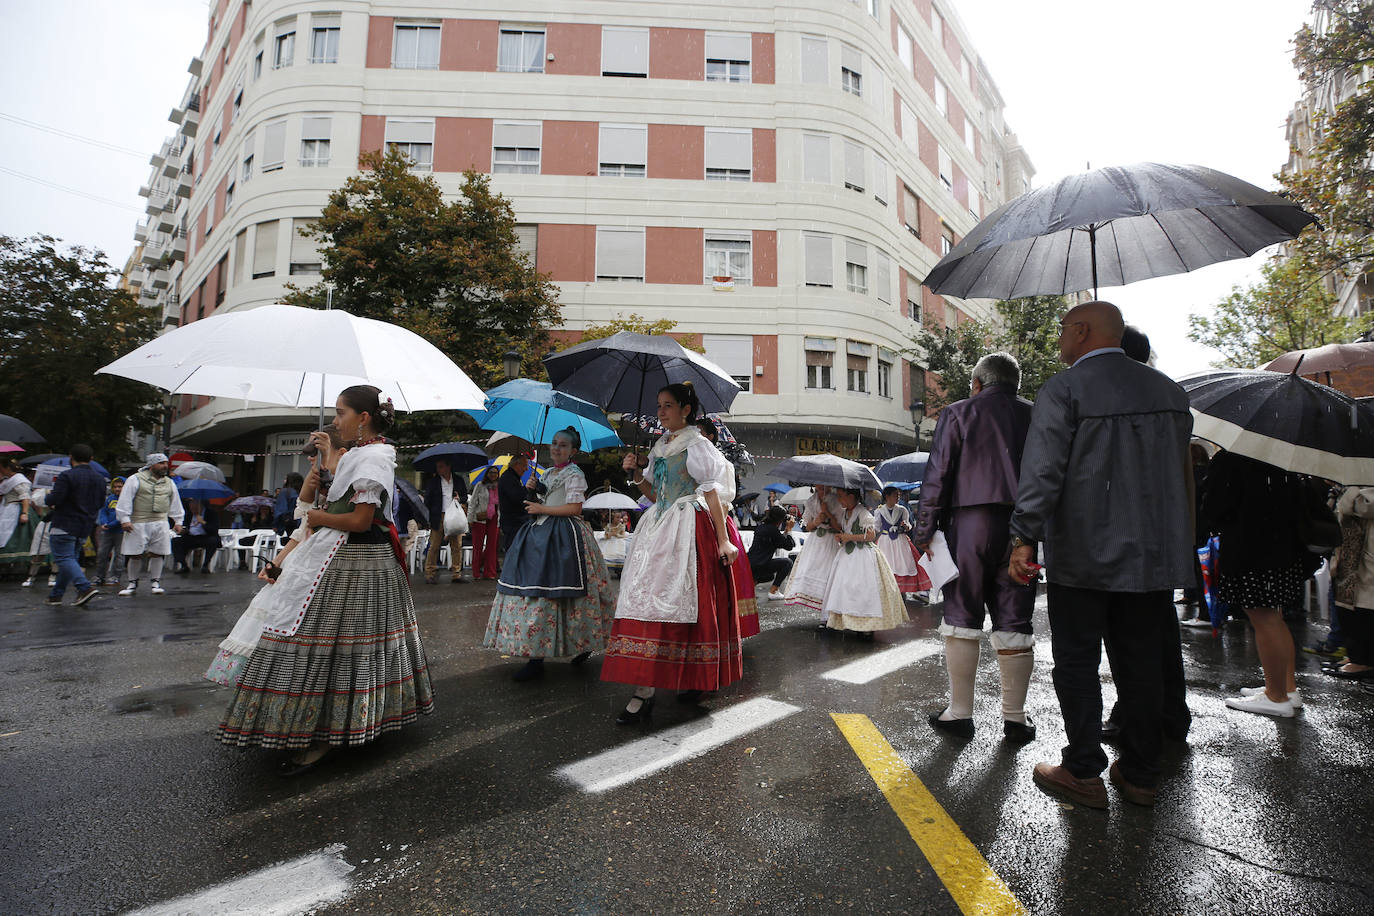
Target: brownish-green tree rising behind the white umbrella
x,y
453,273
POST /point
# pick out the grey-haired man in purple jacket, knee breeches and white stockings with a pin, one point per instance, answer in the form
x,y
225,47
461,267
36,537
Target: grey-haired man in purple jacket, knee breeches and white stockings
x,y
968,492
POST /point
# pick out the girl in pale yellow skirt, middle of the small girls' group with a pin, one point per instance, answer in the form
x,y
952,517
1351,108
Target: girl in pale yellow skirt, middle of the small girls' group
x,y
862,594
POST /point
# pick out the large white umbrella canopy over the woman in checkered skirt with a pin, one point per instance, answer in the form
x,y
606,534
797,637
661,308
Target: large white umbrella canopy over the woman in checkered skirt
x,y
277,355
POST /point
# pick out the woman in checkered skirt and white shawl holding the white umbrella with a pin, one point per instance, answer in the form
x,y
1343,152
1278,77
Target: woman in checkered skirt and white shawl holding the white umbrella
x,y
341,663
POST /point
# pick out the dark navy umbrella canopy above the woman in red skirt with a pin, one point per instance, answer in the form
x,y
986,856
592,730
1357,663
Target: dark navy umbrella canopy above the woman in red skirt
x,y
624,371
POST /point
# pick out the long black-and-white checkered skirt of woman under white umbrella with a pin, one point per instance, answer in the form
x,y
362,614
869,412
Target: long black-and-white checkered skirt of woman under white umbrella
x,y
354,669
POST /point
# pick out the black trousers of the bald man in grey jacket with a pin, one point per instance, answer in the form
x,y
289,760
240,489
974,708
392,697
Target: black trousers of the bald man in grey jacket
x,y
1136,623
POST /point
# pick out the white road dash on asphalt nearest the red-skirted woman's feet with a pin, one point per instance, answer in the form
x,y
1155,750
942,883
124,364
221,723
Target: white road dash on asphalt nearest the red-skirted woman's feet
x,y
638,760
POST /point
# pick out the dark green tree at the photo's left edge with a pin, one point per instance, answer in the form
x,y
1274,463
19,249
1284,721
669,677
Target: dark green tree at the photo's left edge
x,y
61,319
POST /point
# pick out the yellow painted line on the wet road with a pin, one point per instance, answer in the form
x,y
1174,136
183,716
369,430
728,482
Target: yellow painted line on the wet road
x,y
967,875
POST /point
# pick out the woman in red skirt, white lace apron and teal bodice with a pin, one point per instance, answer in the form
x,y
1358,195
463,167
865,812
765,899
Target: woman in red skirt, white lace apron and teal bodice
x,y
678,620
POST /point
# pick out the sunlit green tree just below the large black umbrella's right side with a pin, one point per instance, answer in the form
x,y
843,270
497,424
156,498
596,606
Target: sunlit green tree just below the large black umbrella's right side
x,y
1289,310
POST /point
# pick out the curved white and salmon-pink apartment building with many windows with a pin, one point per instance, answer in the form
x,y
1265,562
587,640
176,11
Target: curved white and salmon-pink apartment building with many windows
x,y
776,178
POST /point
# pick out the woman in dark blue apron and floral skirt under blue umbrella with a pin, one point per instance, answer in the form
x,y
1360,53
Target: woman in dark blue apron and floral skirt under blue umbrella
x,y
553,597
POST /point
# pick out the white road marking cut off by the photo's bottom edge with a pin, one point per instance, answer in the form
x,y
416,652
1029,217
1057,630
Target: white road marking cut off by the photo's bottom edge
x,y
288,889
